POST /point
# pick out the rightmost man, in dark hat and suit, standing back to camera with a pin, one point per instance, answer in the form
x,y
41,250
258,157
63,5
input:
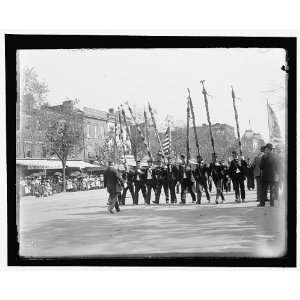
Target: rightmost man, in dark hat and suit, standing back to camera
x,y
270,175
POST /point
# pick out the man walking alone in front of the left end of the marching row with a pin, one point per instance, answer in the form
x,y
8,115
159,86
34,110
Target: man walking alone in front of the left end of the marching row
x,y
112,181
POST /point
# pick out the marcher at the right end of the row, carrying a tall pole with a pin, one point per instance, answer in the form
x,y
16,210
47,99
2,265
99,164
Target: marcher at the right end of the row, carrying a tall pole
x,y
238,171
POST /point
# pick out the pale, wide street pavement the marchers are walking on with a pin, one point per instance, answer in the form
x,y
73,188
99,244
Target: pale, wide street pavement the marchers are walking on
x,y
78,224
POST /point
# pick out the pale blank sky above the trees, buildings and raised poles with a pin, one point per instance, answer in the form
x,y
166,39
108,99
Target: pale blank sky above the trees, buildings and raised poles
x,y
103,79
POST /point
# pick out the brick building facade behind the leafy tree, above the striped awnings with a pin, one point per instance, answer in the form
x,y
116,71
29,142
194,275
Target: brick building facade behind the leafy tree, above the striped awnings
x,y
98,128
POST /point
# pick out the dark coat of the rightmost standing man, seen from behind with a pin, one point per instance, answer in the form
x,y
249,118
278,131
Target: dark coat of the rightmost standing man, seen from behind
x,y
270,167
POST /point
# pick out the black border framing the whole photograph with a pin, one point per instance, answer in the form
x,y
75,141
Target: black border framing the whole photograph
x,y
13,43
